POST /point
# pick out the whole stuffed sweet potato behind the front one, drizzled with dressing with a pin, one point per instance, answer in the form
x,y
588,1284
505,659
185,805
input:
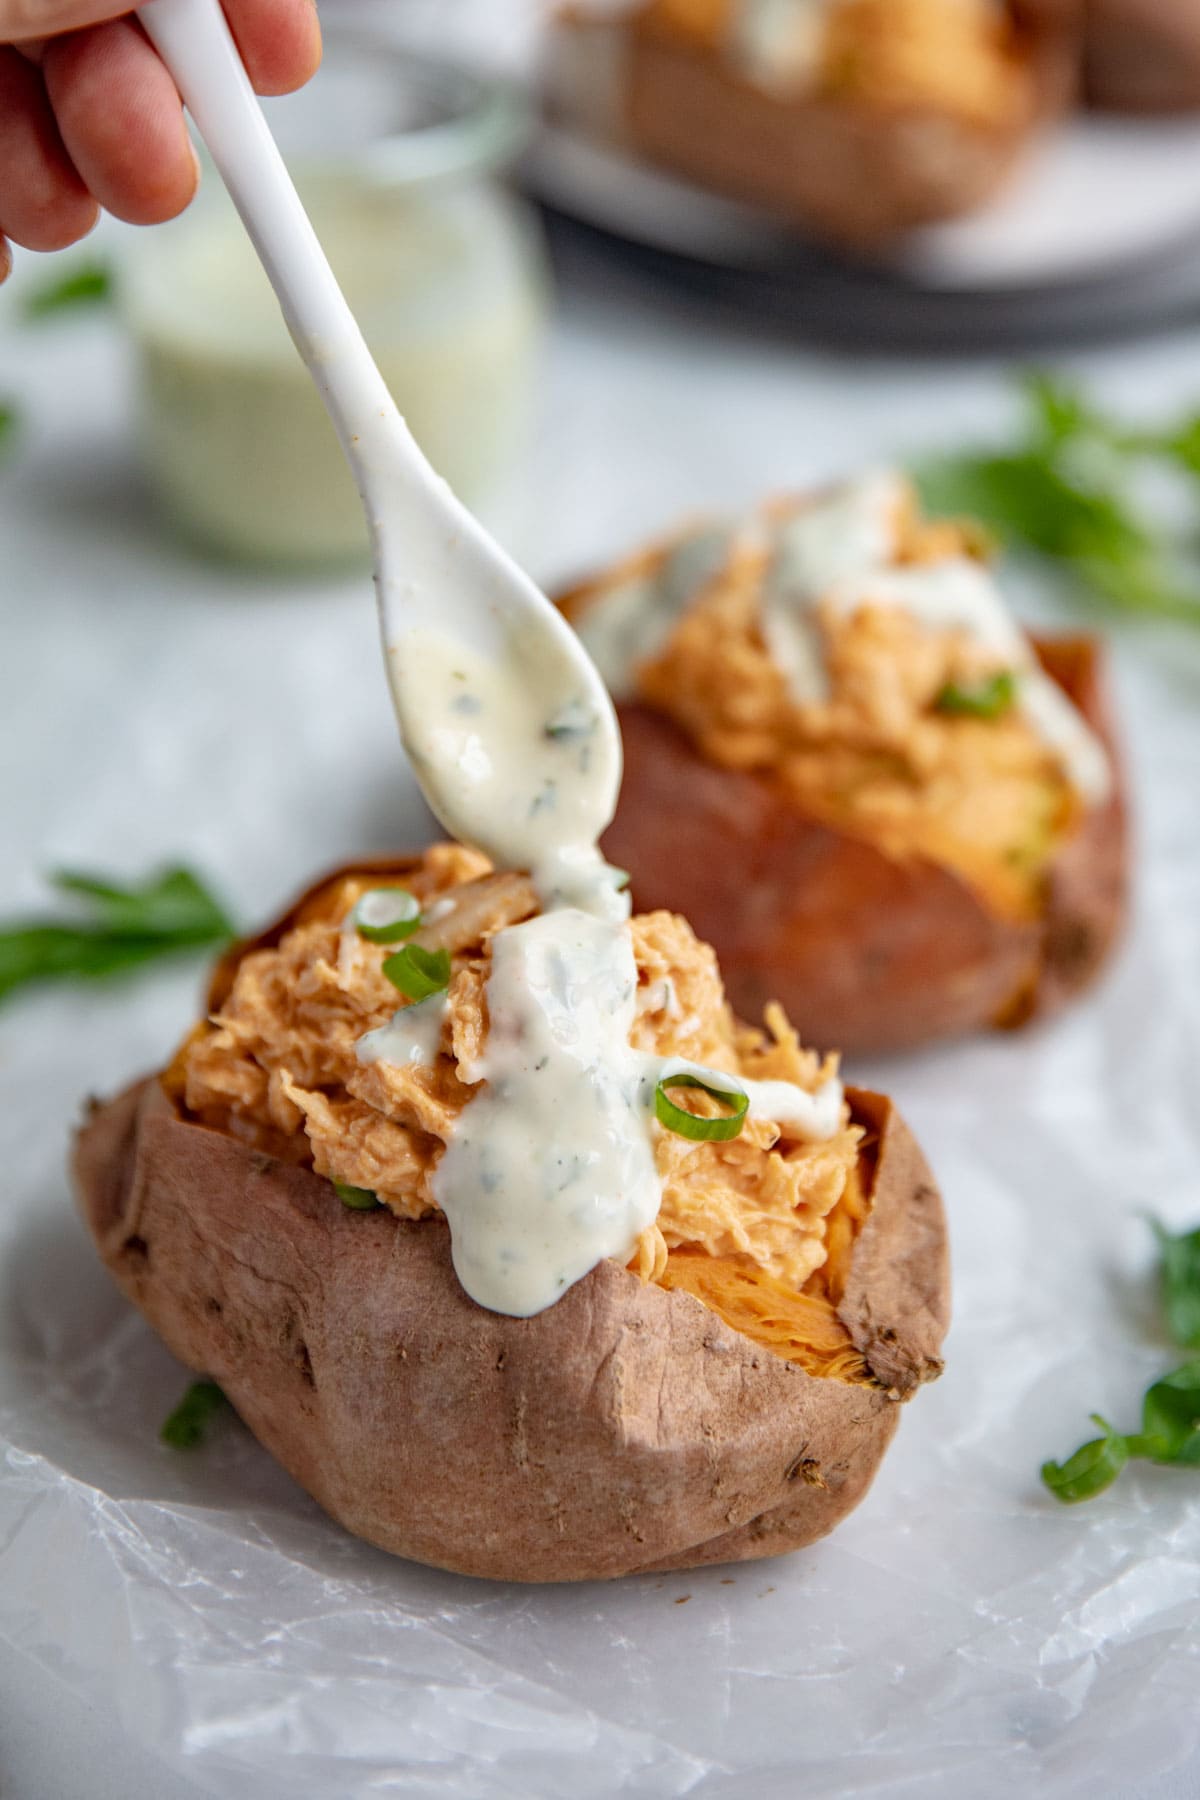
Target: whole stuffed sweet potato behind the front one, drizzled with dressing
x,y
857,823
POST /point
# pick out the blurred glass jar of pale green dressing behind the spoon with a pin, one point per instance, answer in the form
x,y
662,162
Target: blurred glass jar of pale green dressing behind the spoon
x,y
443,269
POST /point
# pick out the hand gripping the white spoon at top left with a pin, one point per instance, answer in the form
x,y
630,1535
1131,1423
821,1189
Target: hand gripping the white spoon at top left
x,y
91,118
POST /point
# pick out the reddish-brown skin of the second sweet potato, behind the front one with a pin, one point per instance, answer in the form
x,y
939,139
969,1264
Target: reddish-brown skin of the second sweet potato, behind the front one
x,y
866,953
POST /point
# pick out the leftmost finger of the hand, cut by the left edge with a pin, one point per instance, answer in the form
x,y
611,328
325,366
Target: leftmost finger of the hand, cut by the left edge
x,y
44,204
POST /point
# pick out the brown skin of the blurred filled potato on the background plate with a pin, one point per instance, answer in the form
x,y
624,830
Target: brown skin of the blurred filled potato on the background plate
x,y
854,174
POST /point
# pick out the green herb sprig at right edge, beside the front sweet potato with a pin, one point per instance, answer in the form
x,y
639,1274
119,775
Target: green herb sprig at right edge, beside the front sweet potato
x,y
1172,1405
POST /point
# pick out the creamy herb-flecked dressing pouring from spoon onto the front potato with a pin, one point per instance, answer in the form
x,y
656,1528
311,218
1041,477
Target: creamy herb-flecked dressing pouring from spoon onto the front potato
x,y
551,1167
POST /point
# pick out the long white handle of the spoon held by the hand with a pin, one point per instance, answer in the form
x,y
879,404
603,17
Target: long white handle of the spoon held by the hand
x,y
195,42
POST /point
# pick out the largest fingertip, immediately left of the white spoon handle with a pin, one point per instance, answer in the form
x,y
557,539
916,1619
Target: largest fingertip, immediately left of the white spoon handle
x,y
121,121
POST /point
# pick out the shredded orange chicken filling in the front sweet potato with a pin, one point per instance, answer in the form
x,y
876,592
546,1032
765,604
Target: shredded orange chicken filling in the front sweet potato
x,y
758,1228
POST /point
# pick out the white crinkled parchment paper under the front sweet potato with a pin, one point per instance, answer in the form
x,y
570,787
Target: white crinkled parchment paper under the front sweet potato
x,y
962,1633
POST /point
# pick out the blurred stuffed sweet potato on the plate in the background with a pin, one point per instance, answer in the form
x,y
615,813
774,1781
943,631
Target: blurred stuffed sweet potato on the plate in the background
x,y
918,114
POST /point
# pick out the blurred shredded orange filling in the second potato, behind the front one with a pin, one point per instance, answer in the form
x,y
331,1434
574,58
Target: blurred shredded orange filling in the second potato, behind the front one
x,y
981,796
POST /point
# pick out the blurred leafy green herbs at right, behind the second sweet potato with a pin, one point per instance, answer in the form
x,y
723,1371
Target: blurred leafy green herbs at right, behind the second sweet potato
x,y
1064,492
